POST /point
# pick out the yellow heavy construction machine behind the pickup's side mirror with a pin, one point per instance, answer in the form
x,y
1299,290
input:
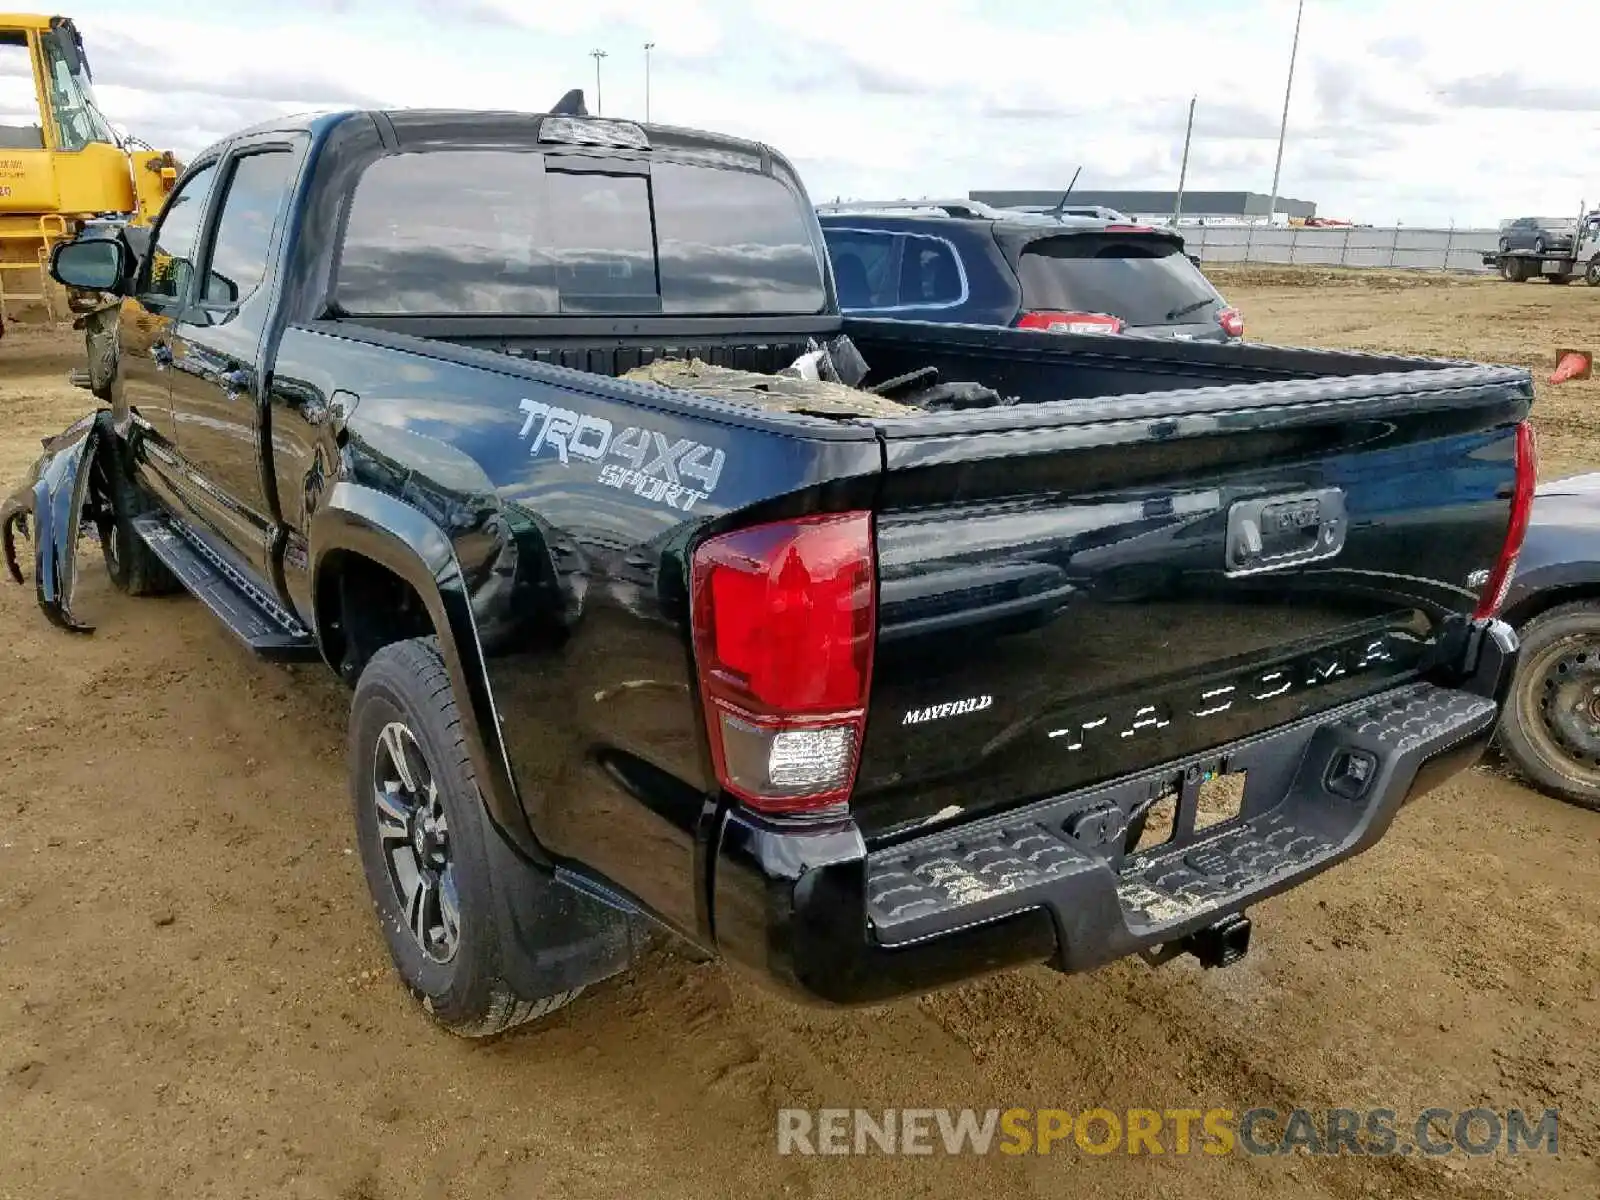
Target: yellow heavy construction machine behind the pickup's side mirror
x,y
62,164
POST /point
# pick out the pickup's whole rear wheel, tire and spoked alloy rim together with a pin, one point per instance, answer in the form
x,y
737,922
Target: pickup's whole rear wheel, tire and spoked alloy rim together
x,y
422,834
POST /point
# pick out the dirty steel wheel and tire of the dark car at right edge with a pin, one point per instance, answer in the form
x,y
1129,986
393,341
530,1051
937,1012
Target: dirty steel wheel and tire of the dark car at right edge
x,y
1551,729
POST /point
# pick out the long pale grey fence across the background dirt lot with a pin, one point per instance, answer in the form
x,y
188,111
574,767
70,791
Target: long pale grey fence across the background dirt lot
x,y
1399,247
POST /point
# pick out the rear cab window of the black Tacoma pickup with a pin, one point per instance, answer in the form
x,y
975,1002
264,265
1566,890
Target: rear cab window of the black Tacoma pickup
x,y
505,233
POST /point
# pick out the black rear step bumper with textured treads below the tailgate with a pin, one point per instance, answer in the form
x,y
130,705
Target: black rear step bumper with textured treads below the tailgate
x,y
830,921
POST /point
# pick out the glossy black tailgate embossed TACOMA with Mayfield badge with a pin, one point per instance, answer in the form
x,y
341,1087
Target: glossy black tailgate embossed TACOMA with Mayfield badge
x,y
1078,591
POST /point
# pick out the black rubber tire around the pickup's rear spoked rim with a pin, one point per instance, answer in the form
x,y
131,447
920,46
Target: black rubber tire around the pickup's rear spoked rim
x,y
407,682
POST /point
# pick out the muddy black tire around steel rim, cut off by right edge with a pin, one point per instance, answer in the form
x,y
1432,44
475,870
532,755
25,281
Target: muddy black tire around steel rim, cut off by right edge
x,y
1524,735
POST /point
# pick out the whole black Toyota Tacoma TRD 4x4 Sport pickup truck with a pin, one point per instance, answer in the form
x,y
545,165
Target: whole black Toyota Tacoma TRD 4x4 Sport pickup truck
x,y
868,702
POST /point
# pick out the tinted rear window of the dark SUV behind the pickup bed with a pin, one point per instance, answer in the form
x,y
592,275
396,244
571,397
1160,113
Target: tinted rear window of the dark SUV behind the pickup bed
x,y
1143,281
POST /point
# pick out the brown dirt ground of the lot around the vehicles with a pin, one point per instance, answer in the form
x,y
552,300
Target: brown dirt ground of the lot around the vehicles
x,y
194,999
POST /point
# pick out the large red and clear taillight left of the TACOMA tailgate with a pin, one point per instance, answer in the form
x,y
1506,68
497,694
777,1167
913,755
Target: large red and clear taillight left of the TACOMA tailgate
x,y
785,620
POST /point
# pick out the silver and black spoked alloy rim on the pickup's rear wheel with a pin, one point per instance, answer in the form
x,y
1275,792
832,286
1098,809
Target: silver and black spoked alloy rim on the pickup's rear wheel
x,y
415,841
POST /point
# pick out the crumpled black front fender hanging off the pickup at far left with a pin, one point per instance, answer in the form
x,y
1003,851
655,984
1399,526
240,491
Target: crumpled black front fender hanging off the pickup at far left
x,y
55,502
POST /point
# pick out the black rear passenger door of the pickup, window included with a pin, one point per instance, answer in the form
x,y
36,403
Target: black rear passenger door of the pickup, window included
x,y
218,396
